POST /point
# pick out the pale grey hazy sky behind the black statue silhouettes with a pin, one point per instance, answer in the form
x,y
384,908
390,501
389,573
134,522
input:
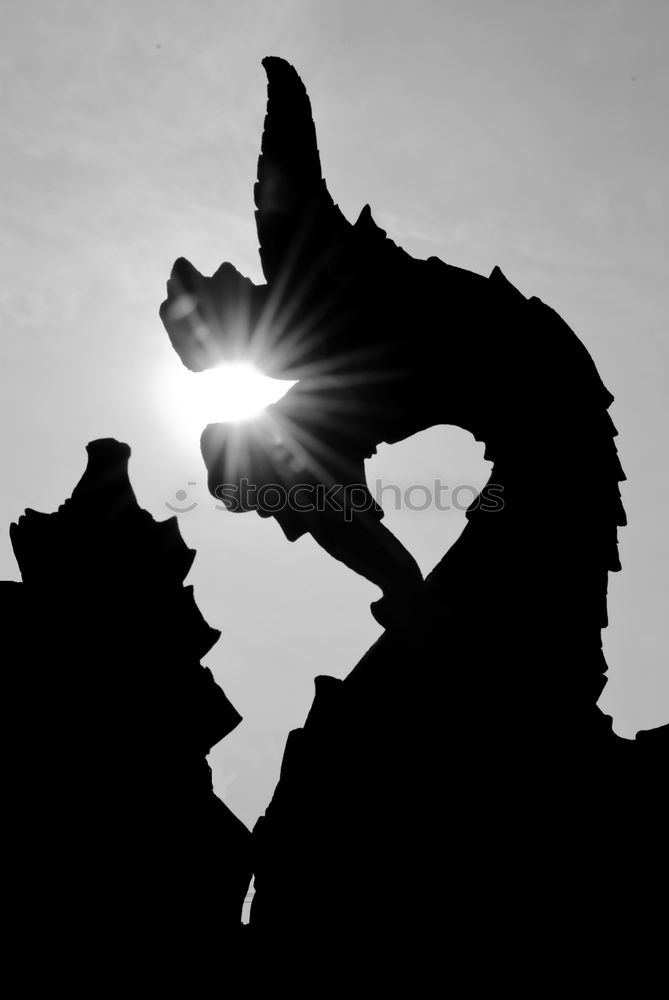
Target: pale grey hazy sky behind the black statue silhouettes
x,y
529,134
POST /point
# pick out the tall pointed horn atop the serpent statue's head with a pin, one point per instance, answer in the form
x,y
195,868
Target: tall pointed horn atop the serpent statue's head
x,y
297,221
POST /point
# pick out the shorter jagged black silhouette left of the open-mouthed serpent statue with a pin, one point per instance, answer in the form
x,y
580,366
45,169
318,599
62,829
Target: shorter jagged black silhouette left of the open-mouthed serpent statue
x,y
123,863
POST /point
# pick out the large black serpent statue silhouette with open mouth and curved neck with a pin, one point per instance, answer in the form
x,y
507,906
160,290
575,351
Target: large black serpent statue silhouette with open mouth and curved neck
x,y
458,804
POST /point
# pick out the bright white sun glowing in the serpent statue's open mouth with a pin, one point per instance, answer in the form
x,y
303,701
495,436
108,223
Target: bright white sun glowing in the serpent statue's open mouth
x,y
229,393
